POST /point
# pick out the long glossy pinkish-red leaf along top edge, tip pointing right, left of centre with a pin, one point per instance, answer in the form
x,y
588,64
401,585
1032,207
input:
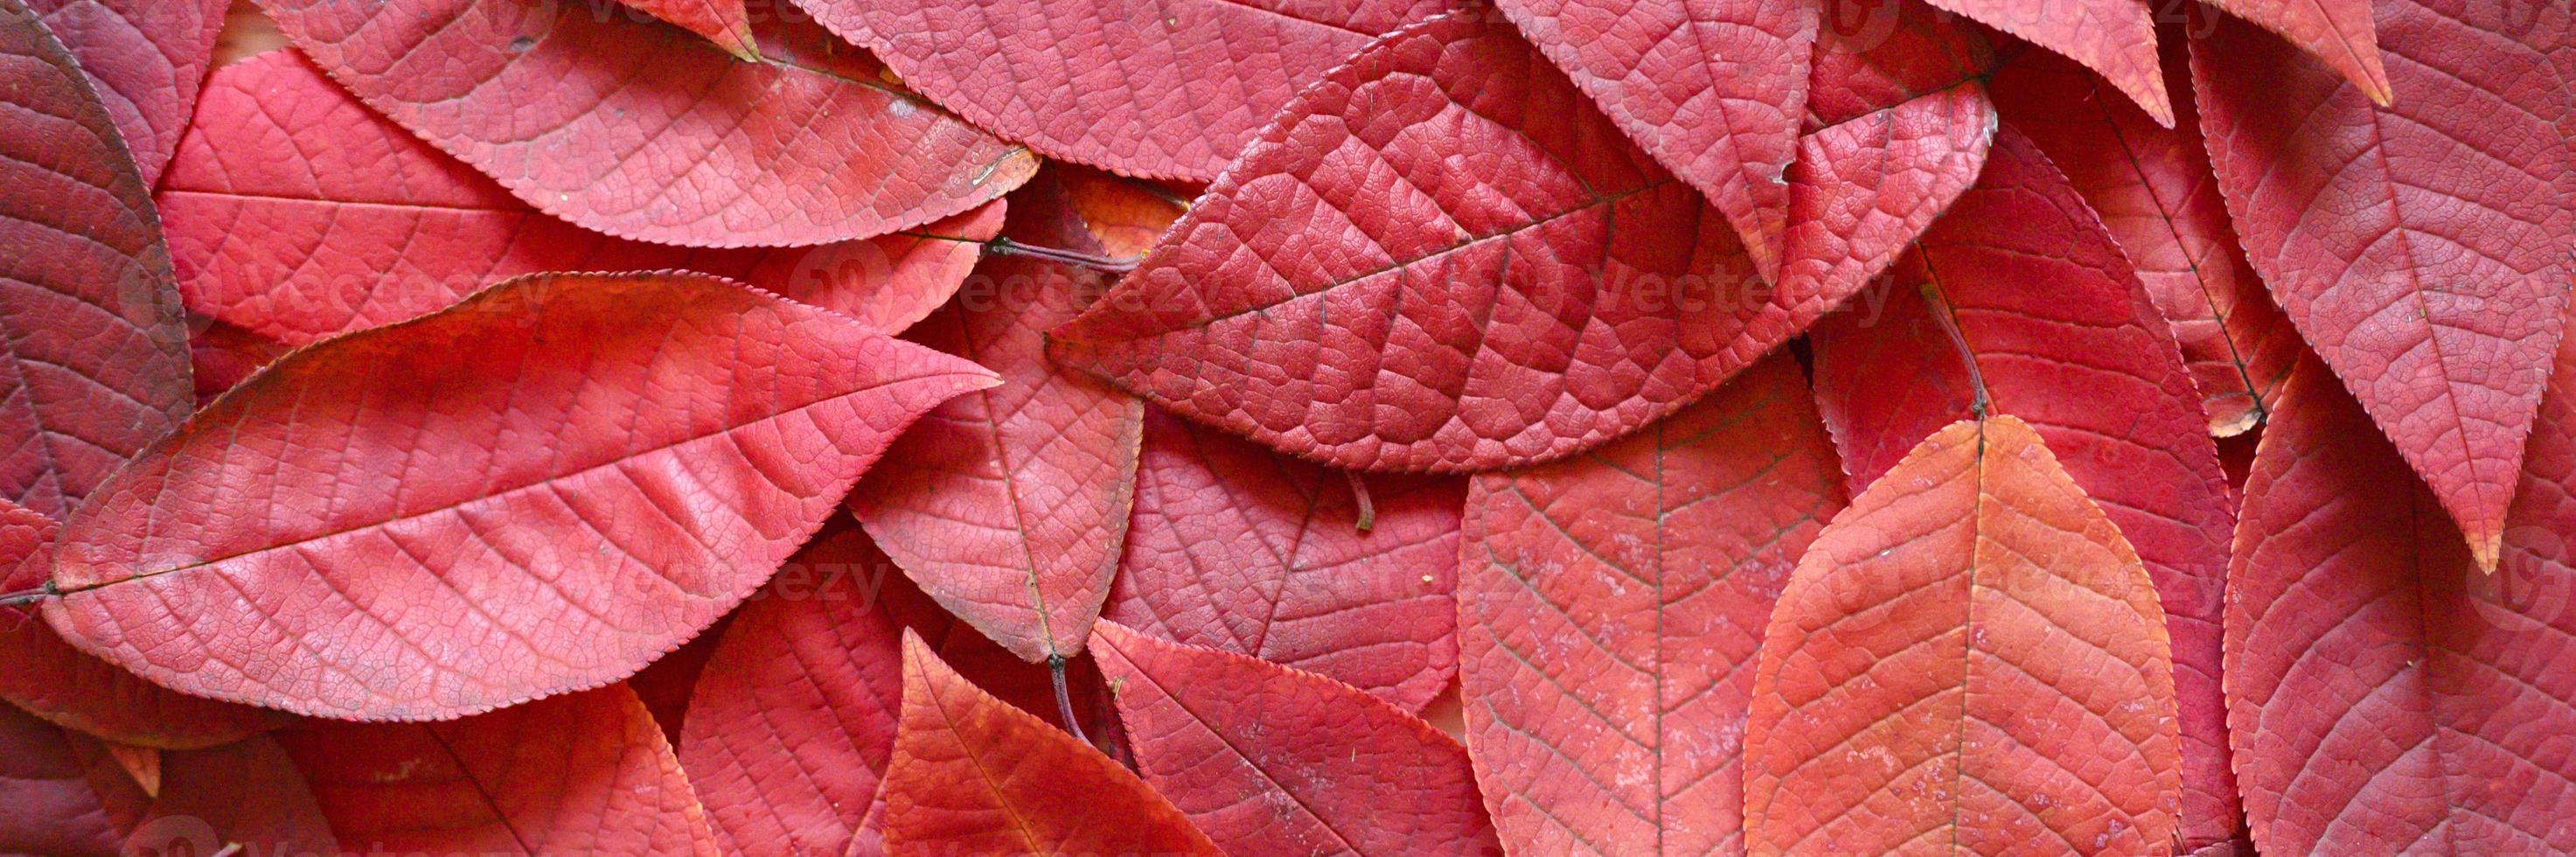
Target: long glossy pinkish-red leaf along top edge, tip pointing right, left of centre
x,y
648,133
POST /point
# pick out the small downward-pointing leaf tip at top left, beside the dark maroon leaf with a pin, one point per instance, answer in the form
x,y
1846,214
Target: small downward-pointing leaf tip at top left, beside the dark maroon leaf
x,y
146,60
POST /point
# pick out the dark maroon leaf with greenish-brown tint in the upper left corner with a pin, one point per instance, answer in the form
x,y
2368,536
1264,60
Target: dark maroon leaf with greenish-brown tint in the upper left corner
x,y
97,346
